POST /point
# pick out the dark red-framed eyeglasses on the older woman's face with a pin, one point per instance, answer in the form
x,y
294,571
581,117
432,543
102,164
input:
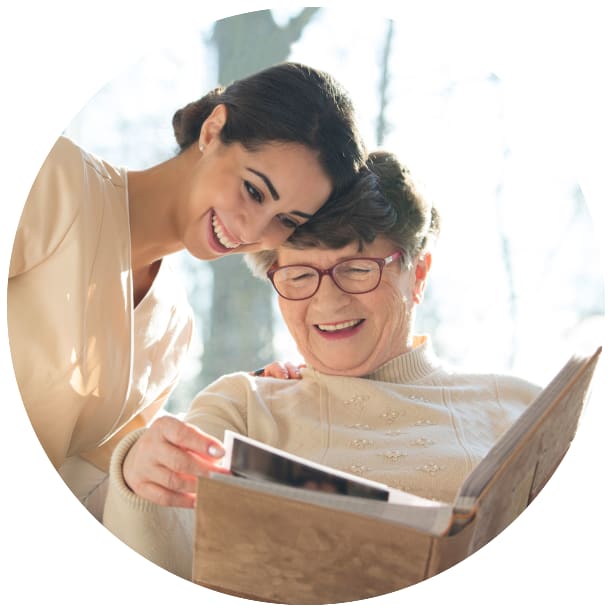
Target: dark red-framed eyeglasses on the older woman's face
x,y
355,275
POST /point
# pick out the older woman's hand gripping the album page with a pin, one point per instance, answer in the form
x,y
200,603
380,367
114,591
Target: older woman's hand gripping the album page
x,y
164,463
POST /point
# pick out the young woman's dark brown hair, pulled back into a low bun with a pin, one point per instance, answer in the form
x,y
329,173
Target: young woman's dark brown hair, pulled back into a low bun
x,y
288,102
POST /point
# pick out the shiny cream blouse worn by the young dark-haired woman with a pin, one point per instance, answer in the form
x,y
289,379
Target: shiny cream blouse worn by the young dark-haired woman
x,y
87,363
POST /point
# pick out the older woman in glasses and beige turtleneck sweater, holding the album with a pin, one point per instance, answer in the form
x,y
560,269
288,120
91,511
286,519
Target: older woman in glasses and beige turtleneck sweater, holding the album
x,y
373,399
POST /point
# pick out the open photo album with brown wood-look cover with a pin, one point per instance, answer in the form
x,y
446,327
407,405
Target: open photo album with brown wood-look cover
x,y
282,529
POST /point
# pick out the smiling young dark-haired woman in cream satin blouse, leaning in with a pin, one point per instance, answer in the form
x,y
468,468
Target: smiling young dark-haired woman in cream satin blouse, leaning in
x,y
98,324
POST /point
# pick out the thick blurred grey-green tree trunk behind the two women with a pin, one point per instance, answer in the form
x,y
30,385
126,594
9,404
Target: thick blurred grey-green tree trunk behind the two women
x,y
240,331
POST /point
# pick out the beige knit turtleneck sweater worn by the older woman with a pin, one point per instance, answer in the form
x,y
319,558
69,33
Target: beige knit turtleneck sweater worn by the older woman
x,y
412,424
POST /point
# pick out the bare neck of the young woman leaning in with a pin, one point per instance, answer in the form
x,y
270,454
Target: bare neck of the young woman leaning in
x,y
154,197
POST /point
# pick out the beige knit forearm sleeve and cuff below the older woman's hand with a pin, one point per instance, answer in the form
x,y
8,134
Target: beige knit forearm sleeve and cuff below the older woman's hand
x,y
161,534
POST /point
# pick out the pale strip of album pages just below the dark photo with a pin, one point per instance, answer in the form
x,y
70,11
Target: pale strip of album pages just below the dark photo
x,y
425,515
